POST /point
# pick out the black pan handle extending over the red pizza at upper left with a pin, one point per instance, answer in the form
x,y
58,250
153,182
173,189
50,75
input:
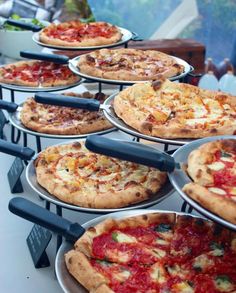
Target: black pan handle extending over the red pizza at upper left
x,y
59,59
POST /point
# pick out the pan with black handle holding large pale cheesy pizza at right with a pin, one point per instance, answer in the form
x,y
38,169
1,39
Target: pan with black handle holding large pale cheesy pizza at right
x,y
108,111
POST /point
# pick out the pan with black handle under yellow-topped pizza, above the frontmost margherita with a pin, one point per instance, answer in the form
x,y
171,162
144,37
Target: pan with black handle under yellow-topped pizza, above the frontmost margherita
x,y
28,154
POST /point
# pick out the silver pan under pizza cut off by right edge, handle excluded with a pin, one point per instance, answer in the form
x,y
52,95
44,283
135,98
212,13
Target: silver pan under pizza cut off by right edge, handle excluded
x,y
178,178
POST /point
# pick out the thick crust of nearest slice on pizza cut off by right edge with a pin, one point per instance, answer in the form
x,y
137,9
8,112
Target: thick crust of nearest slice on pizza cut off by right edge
x,y
215,203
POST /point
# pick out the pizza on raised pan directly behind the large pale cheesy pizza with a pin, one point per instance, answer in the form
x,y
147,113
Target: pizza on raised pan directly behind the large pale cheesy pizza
x,y
128,64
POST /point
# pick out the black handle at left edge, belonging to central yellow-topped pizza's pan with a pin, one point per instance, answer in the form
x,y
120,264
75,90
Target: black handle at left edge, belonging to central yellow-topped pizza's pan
x,y
16,150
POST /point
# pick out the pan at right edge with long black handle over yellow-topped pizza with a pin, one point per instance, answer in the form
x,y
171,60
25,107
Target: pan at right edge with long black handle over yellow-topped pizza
x,y
153,158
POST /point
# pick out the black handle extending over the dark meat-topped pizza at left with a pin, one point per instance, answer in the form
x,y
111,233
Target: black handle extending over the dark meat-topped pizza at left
x,y
67,101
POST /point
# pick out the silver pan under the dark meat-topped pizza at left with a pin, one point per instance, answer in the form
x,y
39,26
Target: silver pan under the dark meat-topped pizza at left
x,y
14,119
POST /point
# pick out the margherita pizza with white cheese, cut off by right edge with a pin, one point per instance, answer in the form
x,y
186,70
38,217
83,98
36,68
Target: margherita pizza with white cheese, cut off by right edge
x,y
212,167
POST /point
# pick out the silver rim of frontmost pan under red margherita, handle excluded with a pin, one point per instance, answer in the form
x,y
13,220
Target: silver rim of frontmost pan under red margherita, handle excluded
x,y
66,281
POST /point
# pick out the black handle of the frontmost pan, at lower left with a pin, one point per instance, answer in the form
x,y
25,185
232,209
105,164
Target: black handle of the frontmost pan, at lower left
x,y
38,215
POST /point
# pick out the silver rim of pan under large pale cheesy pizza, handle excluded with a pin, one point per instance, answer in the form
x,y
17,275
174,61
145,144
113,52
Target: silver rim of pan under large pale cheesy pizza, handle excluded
x,y
110,114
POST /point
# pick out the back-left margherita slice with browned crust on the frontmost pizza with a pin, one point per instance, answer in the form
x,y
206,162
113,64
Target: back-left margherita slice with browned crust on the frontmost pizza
x,y
126,241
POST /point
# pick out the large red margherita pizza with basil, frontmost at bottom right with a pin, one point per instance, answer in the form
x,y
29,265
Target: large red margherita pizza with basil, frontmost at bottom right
x,y
155,253
